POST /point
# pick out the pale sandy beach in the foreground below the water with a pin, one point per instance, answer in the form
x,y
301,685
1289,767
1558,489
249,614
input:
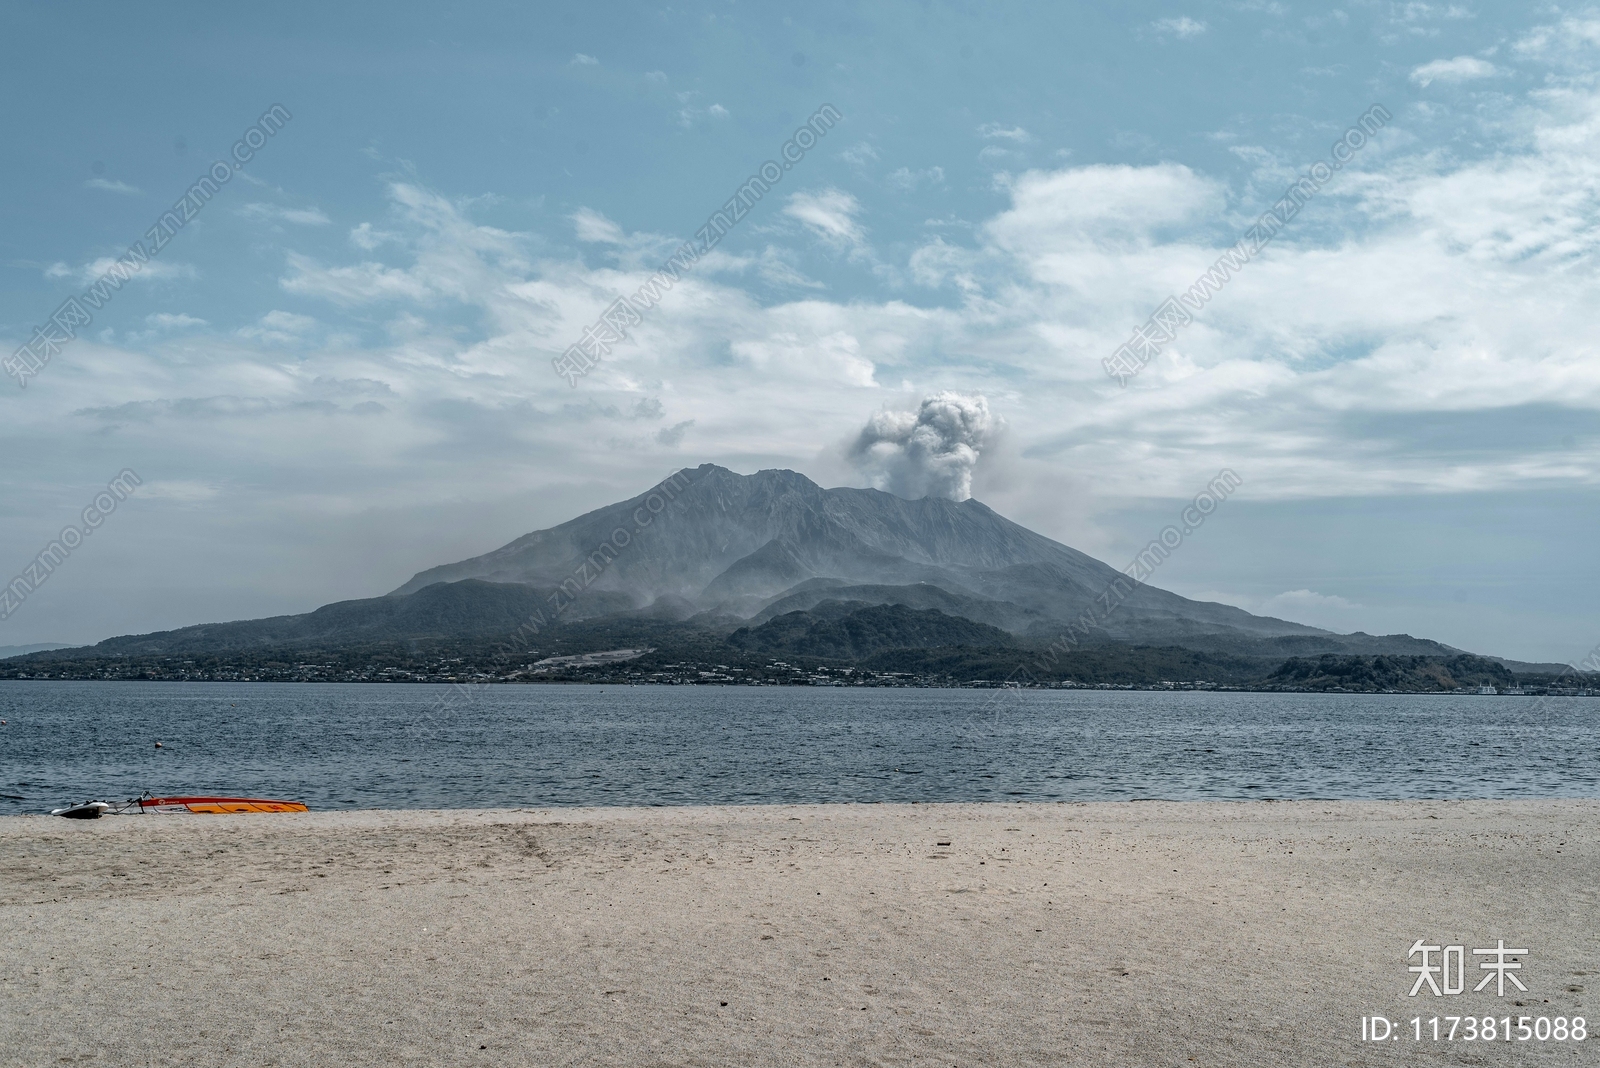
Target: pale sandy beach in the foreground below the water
x,y
951,934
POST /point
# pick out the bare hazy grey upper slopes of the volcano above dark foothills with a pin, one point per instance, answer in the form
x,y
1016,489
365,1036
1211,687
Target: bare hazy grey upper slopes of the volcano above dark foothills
x,y
732,543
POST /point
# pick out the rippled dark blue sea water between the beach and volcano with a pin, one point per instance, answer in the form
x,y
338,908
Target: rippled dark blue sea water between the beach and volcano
x,y
378,746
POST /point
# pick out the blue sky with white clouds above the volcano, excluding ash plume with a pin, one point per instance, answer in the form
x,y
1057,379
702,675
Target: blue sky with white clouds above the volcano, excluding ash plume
x,y
340,370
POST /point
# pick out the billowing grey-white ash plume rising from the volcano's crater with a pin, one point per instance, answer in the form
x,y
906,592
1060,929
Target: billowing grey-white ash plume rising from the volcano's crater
x,y
930,452
